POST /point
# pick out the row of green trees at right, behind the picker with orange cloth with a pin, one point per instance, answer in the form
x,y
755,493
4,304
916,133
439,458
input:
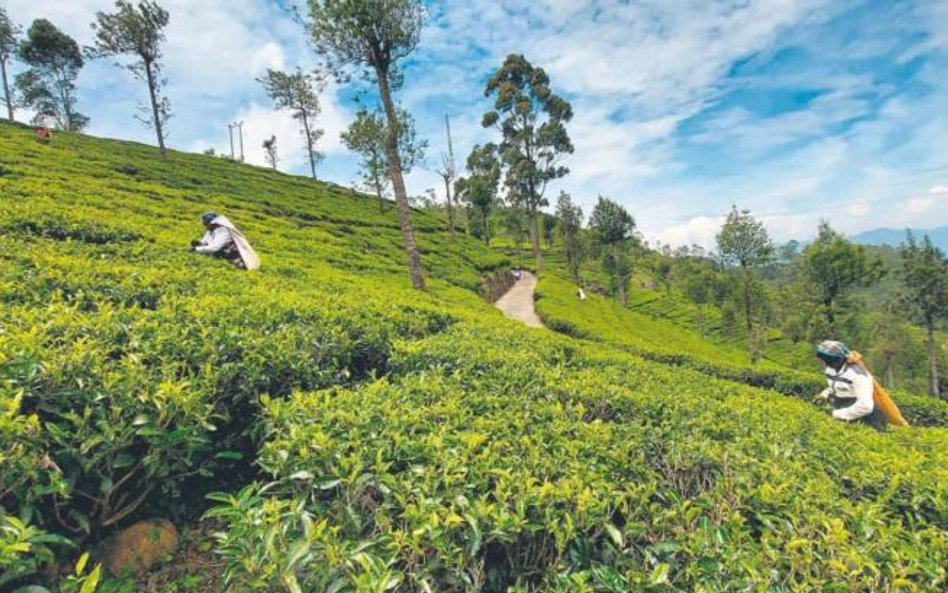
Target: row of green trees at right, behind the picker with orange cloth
x,y
821,281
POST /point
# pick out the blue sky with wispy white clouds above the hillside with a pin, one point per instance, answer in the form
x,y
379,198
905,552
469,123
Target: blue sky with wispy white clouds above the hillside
x,y
795,109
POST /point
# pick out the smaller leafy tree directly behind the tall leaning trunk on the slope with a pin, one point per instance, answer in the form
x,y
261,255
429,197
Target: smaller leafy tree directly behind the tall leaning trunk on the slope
x,y
367,136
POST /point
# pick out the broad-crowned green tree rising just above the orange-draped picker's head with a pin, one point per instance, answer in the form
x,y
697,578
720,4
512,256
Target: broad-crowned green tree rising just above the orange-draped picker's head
x,y
835,267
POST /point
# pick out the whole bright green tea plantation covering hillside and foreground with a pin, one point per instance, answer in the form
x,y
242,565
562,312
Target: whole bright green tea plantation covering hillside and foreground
x,y
343,432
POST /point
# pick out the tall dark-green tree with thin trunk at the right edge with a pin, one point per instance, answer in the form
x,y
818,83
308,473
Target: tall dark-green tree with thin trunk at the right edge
x,y
925,279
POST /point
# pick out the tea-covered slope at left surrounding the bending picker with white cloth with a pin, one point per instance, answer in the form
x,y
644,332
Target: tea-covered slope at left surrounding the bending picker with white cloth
x,y
131,369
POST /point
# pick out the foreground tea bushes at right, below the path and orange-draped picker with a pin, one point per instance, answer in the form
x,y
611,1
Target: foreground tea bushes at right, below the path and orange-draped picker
x,y
495,461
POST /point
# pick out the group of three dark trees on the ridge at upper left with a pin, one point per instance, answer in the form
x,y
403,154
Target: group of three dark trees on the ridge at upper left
x,y
132,35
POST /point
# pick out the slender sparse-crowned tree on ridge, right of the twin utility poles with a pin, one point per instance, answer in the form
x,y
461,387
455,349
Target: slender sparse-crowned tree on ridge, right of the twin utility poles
x,y
298,92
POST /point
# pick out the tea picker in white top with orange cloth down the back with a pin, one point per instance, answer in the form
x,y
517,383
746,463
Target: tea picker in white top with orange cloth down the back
x,y
852,390
